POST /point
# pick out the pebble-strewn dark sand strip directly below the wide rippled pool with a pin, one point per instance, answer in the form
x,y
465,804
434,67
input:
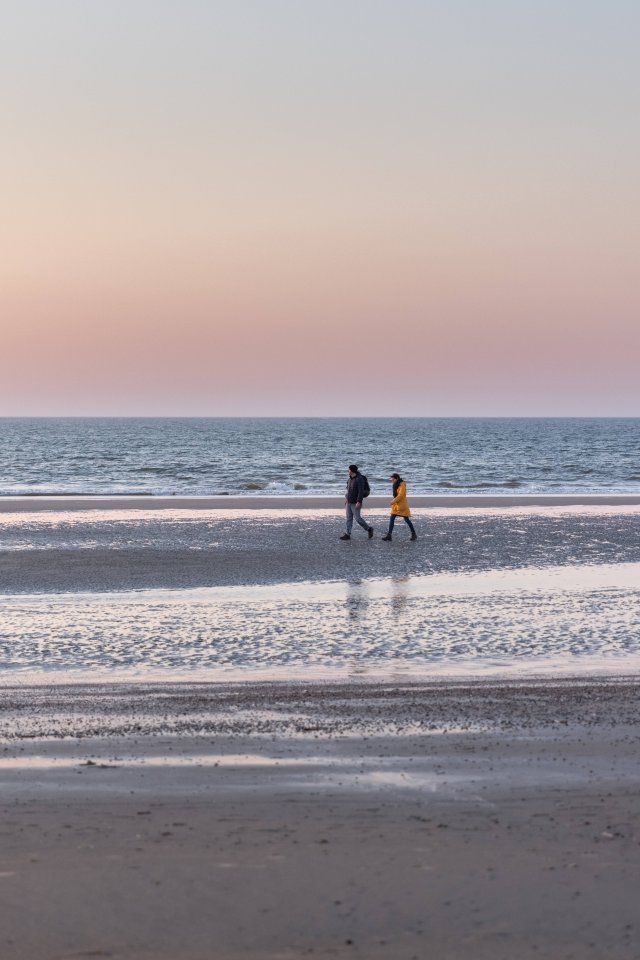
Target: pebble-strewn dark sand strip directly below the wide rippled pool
x,y
327,709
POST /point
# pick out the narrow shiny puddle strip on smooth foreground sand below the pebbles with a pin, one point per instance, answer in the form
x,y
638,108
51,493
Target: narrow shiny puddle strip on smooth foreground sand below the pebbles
x,y
303,771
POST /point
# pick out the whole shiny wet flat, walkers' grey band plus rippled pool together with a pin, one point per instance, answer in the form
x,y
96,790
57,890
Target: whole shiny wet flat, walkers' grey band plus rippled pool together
x,y
528,591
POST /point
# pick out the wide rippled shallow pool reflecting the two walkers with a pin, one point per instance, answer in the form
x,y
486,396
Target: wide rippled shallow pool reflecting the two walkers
x,y
549,618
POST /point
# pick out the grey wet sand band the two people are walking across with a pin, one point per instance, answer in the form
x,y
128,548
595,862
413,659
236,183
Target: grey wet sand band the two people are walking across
x,y
93,550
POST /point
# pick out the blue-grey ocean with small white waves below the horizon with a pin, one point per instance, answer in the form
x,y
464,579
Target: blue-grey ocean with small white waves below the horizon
x,y
208,456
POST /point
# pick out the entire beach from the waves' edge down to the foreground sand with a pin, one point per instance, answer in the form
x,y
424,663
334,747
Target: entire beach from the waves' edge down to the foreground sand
x,y
227,734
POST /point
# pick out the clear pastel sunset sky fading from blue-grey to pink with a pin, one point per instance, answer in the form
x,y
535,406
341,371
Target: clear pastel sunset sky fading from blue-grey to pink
x,y
320,207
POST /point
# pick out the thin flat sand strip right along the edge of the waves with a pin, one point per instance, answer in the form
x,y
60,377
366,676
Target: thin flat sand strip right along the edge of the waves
x,y
36,503
